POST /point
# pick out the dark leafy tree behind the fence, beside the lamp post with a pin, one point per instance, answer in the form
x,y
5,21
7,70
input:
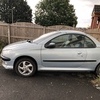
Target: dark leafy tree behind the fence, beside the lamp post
x,y
14,11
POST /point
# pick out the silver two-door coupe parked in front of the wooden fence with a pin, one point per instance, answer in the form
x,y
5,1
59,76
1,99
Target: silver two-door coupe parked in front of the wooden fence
x,y
65,50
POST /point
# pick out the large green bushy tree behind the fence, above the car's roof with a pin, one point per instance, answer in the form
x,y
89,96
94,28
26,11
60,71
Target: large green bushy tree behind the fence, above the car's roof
x,y
55,12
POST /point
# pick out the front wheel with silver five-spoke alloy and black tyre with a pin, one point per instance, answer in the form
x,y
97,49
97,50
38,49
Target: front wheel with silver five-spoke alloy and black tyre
x,y
25,67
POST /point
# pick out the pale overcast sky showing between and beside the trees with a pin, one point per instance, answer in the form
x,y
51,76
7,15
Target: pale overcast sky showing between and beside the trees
x,y
83,10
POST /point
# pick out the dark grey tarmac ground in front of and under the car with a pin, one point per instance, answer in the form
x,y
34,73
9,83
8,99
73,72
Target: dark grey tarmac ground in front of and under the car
x,y
47,86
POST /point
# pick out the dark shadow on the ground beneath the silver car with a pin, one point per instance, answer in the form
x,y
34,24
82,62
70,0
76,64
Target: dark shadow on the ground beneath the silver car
x,y
54,74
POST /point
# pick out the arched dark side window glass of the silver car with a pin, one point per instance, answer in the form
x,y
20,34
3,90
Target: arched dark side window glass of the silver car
x,y
71,41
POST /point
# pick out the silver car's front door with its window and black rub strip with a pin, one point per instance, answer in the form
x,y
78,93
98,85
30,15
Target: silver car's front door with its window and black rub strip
x,y
67,53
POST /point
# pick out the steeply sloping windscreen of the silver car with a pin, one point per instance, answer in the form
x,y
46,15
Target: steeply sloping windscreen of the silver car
x,y
43,37
